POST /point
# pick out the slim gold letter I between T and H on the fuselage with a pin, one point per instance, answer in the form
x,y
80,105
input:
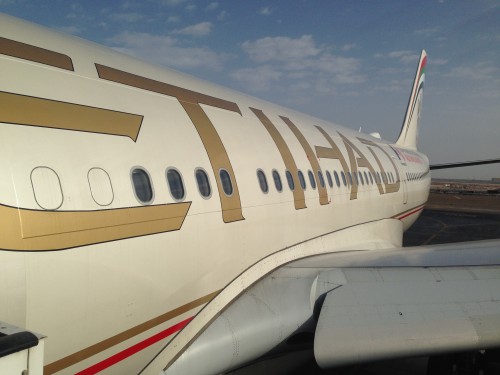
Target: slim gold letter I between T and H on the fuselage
x,y
286,155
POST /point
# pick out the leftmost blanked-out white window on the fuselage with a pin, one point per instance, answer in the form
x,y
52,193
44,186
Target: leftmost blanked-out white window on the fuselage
x,y
46,188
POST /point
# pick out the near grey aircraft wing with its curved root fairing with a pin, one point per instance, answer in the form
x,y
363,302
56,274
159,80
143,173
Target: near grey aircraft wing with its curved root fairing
x,y
360,305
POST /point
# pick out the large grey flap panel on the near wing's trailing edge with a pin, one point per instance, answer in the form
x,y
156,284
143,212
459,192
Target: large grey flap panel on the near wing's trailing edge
x,y
383,313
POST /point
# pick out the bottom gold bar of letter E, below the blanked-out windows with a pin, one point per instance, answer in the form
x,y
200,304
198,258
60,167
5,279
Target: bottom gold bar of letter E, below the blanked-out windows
x,y
37,230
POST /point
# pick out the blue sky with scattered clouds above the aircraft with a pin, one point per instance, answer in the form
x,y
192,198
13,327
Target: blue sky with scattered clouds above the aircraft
x,y
346,61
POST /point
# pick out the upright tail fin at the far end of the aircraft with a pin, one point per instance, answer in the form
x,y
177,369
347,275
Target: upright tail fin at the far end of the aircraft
x,y
409,131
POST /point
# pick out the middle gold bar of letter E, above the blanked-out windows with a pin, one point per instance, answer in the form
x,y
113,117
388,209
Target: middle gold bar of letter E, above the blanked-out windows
x,y
32,111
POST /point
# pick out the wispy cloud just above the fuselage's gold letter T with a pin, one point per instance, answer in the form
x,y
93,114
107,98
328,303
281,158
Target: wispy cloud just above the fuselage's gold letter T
x,y
166,51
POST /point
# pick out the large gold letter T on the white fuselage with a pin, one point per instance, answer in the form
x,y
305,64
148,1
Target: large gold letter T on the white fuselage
x,y
191,102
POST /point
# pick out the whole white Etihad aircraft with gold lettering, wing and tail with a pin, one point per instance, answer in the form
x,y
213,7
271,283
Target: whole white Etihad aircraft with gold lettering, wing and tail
x,y
151,223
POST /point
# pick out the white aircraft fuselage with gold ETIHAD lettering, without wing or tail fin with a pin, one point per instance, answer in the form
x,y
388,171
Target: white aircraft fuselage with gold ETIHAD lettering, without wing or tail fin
x,y
110,278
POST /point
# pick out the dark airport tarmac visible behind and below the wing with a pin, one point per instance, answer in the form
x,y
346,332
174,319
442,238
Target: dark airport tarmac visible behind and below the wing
x,y
447,218
